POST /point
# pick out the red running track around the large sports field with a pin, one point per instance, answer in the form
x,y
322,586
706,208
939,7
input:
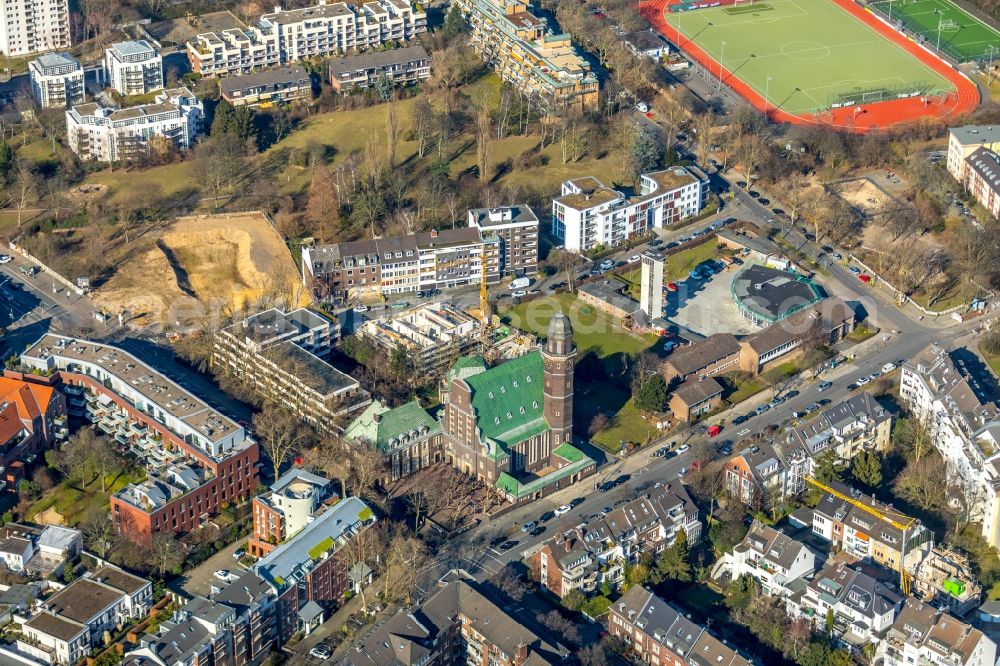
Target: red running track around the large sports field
x,y
876,116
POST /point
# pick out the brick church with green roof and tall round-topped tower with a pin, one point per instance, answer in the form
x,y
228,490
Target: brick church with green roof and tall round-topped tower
x,y
510,426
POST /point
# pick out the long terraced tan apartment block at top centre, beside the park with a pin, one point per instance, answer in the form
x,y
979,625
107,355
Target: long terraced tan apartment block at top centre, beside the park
x,y
523,51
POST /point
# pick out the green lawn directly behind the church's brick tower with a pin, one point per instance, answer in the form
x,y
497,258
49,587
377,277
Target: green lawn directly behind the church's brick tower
x,y
593,330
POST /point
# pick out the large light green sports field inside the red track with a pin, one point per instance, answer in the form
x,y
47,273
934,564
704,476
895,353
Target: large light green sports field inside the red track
x,y
804,56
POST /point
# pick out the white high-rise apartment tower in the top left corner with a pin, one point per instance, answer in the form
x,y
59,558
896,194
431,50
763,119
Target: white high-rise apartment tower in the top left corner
x,y
33,26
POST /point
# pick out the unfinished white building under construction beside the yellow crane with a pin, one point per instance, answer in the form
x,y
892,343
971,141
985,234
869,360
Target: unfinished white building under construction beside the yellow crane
x,y
434,336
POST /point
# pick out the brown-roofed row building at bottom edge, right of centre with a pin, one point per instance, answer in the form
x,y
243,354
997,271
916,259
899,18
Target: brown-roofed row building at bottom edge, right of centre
x,y
658,633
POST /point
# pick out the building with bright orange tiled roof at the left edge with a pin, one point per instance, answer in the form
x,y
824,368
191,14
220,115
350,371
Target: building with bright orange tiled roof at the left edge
x,y
32,418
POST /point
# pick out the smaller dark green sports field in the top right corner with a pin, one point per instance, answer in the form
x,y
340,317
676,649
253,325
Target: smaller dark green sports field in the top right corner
x,y
962,35
